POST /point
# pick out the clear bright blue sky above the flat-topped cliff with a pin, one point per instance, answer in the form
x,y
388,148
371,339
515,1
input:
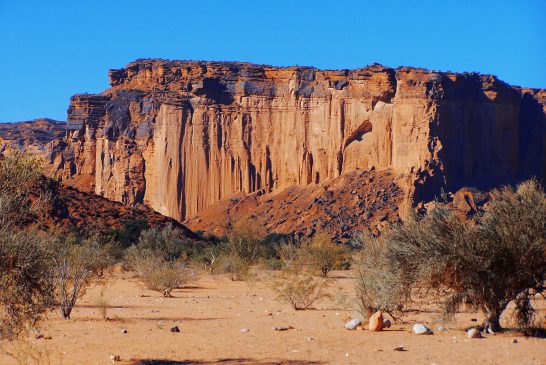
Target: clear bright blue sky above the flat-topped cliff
x,y
50,50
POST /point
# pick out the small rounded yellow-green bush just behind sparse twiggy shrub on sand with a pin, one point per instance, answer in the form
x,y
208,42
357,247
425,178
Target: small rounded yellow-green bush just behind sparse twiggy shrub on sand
x,y
322,254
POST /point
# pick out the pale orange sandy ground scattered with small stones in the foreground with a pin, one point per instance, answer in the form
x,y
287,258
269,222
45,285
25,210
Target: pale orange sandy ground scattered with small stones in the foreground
x,y
212,314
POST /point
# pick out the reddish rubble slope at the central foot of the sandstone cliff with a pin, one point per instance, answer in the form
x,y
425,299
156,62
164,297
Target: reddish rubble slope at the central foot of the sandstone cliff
x,y
358,201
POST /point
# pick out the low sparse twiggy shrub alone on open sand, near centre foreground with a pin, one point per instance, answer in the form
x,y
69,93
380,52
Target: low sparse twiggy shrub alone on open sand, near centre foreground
x,y
300,289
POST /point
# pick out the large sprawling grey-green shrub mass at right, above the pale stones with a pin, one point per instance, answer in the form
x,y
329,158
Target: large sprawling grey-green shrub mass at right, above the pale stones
x,y
487,265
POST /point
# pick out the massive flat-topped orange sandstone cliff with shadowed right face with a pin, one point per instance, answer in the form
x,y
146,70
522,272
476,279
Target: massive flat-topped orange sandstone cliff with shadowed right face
x,y
181,136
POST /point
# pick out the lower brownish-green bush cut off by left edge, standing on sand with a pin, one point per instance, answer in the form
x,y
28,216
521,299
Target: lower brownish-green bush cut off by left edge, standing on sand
x,y
26,280
